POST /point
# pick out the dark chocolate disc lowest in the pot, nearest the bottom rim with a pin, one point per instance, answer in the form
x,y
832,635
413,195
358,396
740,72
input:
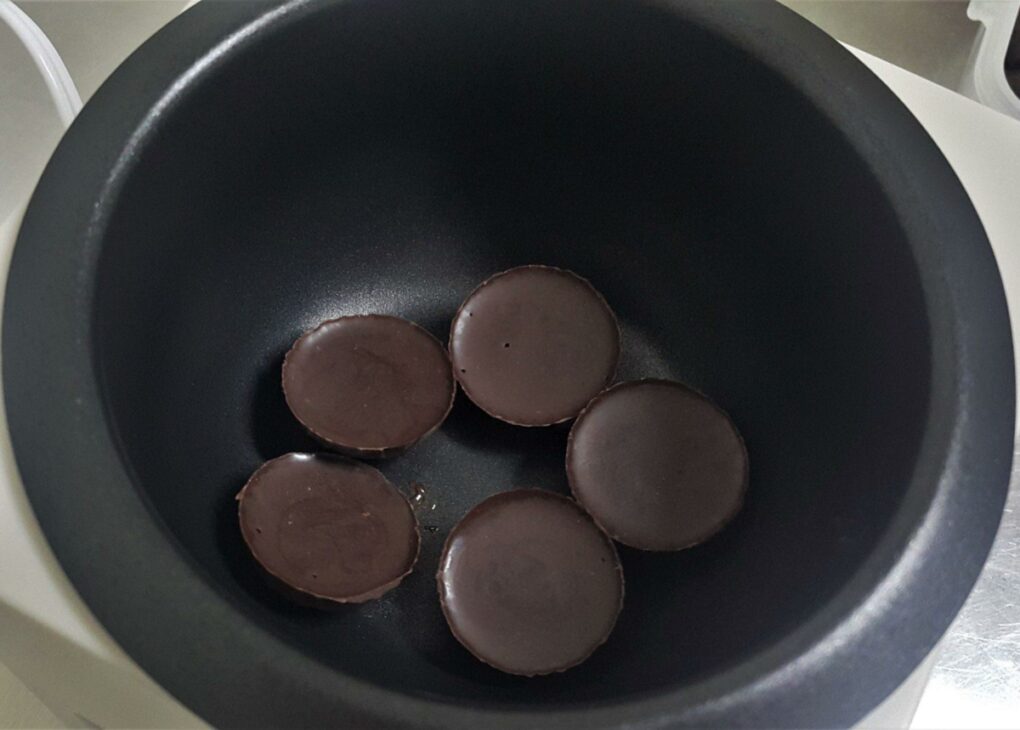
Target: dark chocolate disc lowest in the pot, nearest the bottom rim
x,y
529,584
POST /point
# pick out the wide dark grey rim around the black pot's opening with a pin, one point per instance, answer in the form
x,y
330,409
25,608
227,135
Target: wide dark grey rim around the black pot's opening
x,y
930,556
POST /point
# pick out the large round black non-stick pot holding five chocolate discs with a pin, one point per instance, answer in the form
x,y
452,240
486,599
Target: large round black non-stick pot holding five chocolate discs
x,y
769,222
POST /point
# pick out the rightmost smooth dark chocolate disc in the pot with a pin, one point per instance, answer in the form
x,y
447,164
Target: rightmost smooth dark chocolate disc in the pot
x,y
659,466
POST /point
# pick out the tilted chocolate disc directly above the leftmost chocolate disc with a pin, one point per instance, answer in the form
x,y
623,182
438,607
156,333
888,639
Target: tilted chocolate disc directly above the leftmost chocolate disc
x,y
369,386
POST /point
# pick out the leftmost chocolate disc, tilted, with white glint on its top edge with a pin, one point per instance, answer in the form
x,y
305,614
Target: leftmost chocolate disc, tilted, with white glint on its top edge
x,y
329,528
